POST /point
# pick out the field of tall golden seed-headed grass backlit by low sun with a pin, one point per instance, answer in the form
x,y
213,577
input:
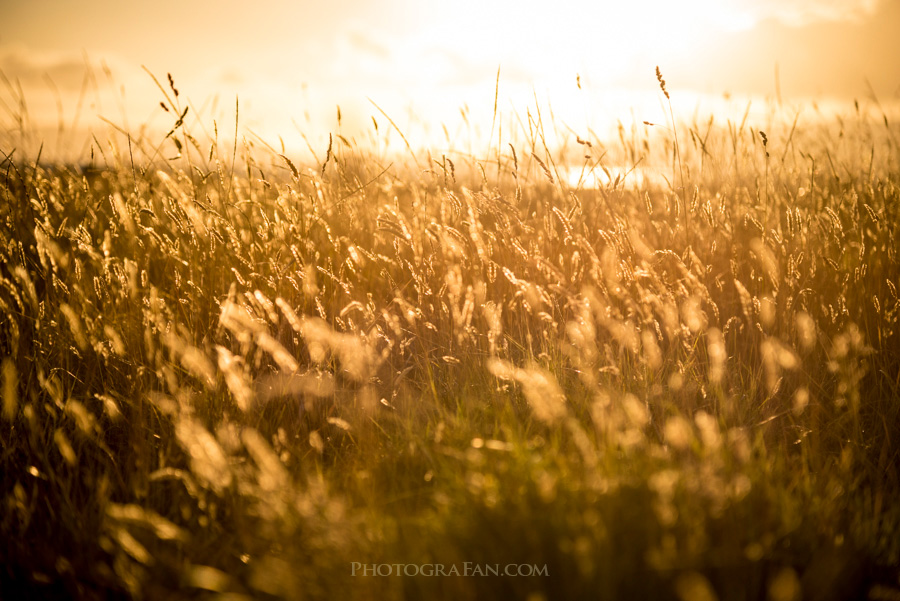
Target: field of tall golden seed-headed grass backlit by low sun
x,y
227,375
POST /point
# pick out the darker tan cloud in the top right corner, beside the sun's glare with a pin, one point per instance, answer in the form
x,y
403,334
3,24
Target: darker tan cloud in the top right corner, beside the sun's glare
x,y
831,56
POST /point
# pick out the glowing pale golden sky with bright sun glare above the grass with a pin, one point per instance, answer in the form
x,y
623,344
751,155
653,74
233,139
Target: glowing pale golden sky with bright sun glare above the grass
x,y
432,67
